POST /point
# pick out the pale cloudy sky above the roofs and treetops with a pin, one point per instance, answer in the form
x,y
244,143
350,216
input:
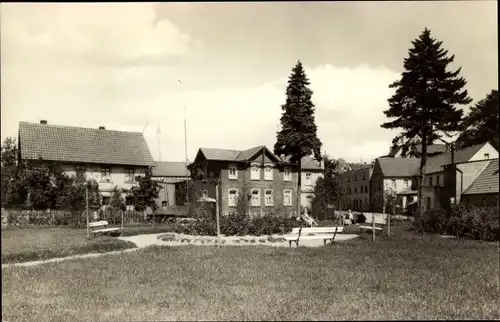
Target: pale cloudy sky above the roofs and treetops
x,y
224,66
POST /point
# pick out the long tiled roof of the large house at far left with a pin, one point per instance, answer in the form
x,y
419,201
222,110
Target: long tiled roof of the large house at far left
x,y
83,145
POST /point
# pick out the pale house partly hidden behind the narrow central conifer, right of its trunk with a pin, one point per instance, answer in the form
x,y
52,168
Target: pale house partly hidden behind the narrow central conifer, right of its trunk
x,y
311,171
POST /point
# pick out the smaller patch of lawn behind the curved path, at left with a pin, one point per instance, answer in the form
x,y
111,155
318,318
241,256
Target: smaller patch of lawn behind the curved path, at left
x,y
27,244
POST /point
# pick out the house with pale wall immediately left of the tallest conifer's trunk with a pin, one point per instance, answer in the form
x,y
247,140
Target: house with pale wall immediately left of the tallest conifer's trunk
x,y
393,175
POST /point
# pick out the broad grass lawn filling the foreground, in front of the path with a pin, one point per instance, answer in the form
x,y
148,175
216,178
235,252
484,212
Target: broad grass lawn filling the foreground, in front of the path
x,y
407,277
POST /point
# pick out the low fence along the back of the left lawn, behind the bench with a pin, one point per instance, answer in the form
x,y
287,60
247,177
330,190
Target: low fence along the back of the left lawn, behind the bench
x,y
76,219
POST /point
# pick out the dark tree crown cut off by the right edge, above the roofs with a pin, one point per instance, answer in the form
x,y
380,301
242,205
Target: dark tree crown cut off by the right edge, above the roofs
x,y
481,124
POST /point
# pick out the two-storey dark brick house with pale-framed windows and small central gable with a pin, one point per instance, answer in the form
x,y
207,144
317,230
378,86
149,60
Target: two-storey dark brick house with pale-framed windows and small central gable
x,y
257,176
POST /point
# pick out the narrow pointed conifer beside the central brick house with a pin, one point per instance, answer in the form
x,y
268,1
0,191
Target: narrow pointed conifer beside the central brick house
x,y
297,137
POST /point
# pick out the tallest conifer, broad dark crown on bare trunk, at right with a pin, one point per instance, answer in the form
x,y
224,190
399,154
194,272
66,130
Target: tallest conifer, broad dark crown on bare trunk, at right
x,y
424,104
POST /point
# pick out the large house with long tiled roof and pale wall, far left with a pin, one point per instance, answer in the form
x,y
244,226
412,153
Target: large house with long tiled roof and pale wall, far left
x,y
112,158
